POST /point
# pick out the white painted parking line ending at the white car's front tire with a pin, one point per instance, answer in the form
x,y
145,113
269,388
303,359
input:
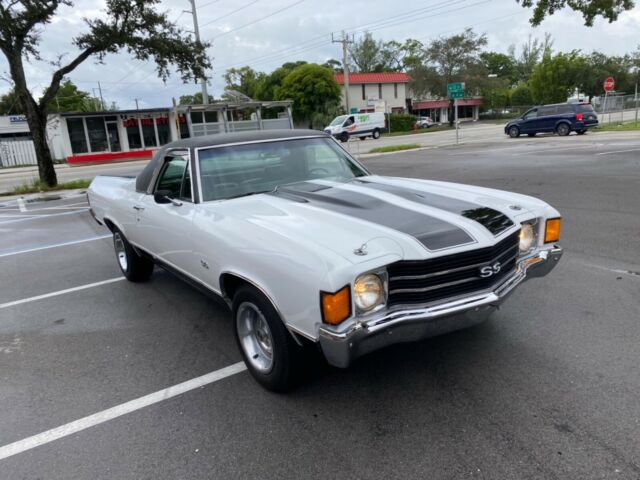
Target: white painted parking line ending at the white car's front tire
x,y
118,411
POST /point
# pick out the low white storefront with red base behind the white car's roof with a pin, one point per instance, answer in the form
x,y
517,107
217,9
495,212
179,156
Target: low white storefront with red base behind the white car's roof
x,y
137,134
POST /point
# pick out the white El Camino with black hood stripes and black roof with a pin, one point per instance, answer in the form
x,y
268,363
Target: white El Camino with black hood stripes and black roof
x,y
308,248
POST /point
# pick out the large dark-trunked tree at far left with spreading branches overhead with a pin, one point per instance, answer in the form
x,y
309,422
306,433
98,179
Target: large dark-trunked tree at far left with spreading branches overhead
x,y
132,25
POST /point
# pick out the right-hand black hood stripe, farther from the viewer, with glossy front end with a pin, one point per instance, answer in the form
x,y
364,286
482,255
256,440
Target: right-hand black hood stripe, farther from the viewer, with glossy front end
x,y
494,221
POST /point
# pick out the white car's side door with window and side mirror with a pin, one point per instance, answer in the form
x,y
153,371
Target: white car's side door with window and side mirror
x,y
165,222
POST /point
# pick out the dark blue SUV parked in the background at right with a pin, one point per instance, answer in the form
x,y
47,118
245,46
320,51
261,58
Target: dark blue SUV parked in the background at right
x,y
561,118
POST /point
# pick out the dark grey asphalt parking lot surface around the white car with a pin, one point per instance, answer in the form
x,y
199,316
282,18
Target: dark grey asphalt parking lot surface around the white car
x,y
549,388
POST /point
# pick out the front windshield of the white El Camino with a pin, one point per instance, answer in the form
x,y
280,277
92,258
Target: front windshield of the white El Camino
x,y
239,170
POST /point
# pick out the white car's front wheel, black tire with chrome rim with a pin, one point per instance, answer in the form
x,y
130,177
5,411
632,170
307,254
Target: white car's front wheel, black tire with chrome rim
x,y
285,358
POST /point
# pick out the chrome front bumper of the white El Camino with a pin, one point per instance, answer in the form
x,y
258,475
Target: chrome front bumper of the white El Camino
x,y
344,343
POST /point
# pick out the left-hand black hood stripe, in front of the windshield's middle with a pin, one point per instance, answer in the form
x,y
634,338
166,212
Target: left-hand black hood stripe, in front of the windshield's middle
x,y
433,233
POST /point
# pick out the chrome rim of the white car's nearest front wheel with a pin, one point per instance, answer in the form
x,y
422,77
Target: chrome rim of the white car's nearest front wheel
x,y
255,337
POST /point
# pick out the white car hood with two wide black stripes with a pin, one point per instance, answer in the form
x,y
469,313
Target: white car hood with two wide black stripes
x,y
375,216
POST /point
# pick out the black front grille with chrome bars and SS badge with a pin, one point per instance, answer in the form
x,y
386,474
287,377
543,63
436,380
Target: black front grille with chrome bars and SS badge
x,y
428,281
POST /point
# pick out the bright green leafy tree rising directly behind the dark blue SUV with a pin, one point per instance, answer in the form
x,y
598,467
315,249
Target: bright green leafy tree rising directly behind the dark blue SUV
x,y
556,77
